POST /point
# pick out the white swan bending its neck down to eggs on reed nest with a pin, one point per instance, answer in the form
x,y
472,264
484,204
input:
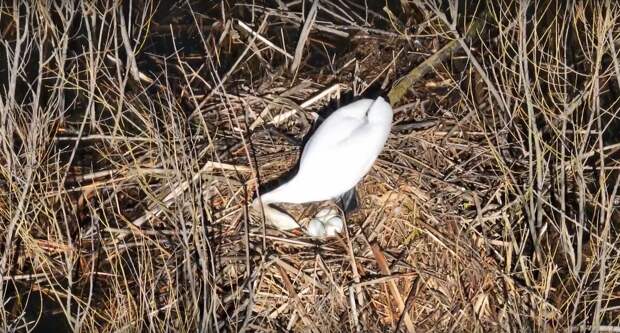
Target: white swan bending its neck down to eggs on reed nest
x,y
335,158
